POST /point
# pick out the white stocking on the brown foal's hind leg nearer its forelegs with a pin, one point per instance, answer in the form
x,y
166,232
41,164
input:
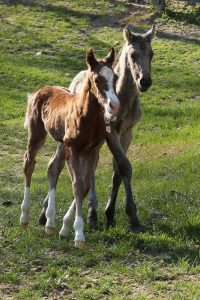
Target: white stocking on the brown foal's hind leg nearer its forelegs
x,y
51,212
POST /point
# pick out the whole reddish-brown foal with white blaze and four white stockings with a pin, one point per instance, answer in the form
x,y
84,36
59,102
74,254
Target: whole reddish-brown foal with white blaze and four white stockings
x,y
78,122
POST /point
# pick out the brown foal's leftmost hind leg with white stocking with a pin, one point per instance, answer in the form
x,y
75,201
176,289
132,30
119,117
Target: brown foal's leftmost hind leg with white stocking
x,y
35,142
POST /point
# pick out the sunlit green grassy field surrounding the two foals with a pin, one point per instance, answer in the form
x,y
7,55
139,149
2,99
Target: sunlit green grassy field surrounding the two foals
x,y
44,42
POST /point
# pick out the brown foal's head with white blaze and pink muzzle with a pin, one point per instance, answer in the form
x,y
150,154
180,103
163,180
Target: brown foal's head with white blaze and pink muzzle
x,y
103,82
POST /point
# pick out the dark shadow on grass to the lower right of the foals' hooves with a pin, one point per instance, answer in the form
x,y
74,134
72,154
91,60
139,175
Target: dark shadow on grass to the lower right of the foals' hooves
x,y
156,246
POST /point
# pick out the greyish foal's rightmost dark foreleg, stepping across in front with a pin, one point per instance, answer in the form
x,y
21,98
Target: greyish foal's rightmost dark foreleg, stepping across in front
x,y
125,171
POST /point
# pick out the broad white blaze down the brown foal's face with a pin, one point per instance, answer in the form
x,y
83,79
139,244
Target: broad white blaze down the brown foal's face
x,y
112,101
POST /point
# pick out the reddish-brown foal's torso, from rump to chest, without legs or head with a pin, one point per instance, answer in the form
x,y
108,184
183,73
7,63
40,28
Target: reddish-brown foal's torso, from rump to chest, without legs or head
x,y
73,119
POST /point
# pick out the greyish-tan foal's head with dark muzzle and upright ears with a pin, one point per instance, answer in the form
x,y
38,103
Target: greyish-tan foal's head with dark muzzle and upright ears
x,y
139,55
